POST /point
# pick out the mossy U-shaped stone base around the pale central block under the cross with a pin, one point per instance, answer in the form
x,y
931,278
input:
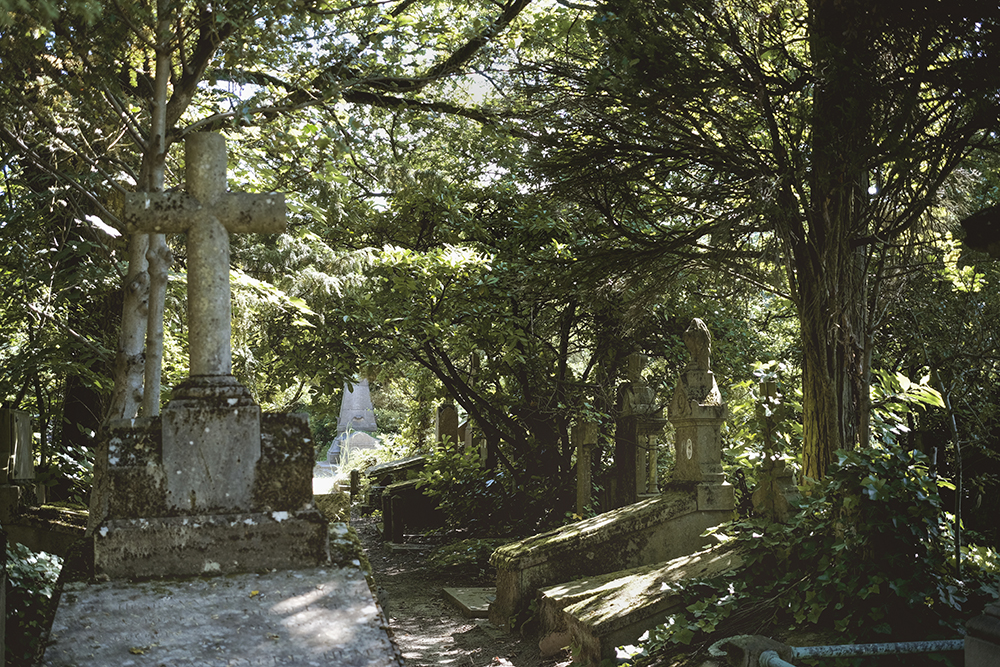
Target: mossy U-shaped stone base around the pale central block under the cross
x,y
144,532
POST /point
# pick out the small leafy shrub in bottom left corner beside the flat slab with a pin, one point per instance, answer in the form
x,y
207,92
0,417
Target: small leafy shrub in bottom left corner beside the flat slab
x,y
31,584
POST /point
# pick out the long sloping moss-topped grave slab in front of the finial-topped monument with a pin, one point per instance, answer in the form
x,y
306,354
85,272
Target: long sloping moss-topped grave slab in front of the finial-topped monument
x,y
650,531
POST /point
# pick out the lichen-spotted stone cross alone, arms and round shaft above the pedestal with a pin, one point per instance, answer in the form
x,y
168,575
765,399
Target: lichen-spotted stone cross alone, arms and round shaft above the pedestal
x,y
208,214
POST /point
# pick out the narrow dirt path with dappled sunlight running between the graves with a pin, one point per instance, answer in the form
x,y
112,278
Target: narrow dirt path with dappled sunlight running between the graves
x,y
428,630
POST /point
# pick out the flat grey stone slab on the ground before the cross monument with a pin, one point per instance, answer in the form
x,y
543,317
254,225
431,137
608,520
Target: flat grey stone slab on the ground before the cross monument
x,y
317,616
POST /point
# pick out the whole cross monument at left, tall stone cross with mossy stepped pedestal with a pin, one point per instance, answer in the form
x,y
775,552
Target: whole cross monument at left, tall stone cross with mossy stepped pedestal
x,y
212,485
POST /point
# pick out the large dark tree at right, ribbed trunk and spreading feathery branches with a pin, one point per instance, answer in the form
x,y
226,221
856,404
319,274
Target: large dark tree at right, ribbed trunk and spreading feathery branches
x,y
765,143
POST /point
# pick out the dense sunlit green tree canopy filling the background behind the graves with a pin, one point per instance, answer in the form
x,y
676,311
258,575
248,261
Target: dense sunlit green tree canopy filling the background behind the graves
x,y
499,202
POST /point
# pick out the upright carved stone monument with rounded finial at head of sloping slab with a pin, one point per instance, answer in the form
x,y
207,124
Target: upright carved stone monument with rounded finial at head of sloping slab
x,y
697,413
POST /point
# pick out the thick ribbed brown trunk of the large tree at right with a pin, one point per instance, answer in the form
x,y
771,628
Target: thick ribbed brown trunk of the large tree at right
x,y
830,259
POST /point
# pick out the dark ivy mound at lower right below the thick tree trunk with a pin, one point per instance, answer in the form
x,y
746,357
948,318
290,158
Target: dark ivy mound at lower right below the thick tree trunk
x,y
866,556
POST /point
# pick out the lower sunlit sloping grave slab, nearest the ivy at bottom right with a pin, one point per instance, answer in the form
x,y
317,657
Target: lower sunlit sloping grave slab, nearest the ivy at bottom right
x,y
597,614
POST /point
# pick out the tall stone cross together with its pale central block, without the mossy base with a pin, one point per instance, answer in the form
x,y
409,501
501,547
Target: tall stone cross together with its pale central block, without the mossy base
x,y
211,427
